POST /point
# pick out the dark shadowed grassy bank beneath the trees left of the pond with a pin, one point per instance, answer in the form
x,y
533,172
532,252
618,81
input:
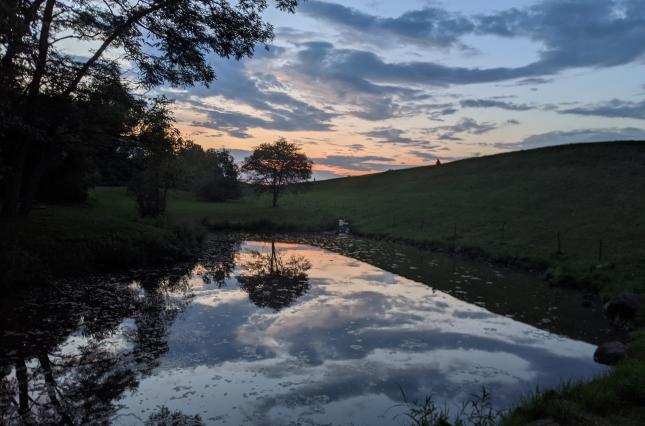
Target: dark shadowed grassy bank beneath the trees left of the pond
x,y
102,235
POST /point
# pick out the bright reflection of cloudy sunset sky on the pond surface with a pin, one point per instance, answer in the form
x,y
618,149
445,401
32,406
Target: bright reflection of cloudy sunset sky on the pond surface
x,y
342,352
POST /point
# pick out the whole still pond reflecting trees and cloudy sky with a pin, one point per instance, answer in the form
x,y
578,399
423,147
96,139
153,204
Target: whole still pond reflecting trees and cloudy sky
x,y
276,333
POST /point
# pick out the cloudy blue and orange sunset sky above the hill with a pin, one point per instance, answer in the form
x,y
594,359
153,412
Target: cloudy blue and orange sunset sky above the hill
x,y
367,85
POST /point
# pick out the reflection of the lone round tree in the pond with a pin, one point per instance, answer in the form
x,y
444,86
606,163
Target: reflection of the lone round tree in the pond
x,y
272,281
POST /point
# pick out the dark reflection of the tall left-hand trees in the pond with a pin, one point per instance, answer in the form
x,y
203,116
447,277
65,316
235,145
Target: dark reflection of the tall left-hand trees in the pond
x,y
68,353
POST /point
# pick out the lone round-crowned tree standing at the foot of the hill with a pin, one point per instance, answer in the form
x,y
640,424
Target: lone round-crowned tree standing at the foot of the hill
x,y
272,167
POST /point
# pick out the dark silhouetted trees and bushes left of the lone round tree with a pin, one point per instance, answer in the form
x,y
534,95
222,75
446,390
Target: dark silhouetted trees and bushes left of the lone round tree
x,y
68,121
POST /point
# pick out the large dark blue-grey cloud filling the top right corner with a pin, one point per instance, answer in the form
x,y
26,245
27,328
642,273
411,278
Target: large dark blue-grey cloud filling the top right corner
x,y
574,33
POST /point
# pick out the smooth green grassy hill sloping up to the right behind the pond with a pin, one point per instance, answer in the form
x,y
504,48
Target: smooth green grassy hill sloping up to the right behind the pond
x,y
509,206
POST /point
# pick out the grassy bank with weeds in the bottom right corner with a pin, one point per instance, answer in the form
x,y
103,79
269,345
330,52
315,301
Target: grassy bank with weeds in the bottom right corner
x,y
617,398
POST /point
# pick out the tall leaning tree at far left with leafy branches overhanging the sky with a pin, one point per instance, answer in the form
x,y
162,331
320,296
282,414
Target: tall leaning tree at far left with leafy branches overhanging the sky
x,y
168,41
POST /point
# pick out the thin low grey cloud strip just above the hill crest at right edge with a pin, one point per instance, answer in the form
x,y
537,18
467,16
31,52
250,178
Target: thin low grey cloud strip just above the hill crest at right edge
x,y
576,136
